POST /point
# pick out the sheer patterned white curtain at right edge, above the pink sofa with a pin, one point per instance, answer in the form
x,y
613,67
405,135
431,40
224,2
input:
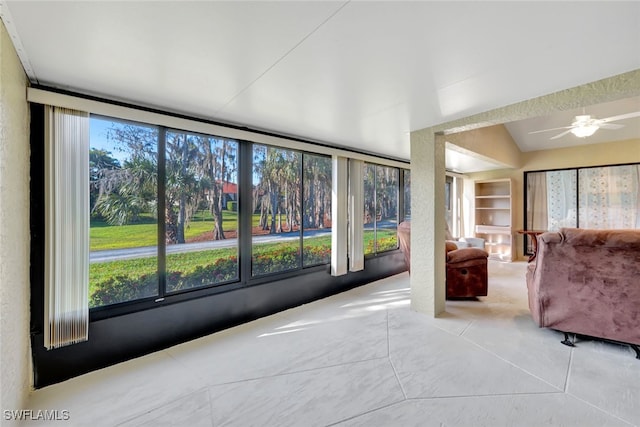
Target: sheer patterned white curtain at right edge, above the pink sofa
x,y
610,197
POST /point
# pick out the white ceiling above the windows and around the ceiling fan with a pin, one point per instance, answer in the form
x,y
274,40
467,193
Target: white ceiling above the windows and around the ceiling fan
x,y
357,74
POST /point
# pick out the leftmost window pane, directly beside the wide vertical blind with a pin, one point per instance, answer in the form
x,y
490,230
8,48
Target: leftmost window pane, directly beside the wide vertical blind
x,y
123,235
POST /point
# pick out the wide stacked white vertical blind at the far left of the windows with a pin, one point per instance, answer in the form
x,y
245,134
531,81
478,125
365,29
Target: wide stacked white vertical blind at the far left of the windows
x,y
66,308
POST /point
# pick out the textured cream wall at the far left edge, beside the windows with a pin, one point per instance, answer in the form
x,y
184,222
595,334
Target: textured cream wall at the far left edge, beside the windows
x,y
15,364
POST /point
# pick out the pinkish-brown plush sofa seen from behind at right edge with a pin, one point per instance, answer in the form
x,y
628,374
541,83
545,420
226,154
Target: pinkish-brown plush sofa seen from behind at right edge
x,y
587,282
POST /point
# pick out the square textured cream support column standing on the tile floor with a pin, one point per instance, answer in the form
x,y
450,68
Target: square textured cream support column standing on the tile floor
x,y
427,223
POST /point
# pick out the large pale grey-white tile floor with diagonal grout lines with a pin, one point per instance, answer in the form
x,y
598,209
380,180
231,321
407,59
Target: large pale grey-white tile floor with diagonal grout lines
x,y
363,358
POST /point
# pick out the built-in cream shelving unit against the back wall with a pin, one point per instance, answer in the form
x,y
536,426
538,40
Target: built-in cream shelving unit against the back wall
x,y
494,217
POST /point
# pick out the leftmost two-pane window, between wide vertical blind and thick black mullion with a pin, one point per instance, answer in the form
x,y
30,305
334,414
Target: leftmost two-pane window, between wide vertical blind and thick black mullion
x,y
141,248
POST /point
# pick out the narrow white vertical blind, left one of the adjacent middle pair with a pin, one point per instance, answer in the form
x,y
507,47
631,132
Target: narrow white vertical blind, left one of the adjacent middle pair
x,y
339,218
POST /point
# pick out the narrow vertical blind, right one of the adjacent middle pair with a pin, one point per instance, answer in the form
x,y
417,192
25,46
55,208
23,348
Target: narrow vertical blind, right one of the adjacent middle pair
x,y
356,215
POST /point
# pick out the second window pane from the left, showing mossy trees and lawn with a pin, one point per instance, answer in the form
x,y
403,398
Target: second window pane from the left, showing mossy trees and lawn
x,y
201,215
